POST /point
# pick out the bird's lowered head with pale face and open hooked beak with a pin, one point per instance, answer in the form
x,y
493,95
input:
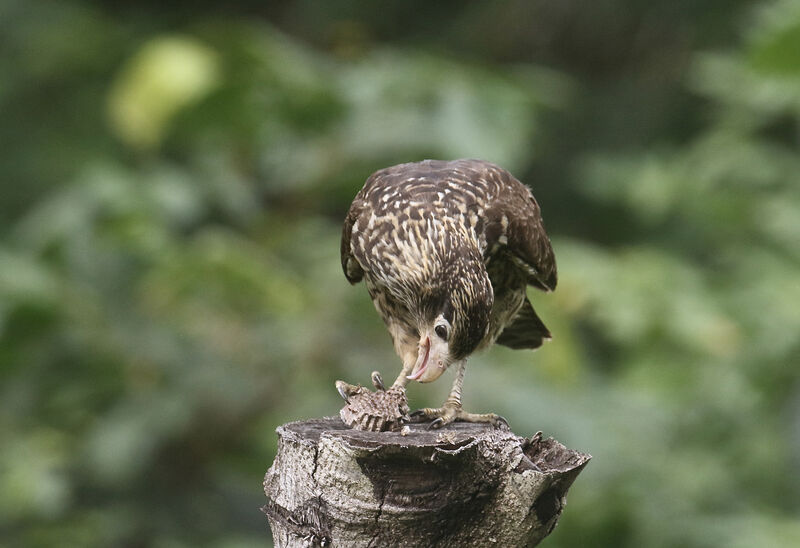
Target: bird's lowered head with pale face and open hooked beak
x,y
454,321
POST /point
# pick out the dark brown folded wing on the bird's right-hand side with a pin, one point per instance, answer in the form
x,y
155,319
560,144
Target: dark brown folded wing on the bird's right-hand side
x,y
514,222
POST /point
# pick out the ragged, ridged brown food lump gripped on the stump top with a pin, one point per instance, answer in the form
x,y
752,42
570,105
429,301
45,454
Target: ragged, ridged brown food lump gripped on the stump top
x,y
376,411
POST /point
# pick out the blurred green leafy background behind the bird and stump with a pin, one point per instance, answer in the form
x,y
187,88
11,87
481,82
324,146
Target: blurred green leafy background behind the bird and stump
x,y
173,179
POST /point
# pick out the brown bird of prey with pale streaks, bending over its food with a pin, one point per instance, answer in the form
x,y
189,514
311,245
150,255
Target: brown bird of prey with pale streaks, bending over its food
x,y
447,250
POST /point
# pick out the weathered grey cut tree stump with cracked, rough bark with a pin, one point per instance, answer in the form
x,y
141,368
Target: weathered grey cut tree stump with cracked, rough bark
x,y
463,485
